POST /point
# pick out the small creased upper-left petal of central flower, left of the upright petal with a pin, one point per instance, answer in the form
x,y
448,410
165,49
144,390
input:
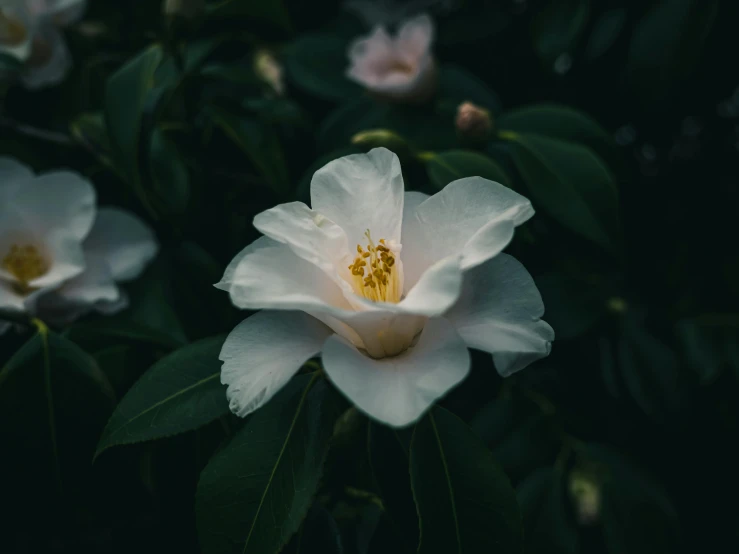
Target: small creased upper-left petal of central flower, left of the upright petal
x,y
308,233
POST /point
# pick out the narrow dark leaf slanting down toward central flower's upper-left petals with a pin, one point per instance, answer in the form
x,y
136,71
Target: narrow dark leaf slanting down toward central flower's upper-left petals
x,y
259,143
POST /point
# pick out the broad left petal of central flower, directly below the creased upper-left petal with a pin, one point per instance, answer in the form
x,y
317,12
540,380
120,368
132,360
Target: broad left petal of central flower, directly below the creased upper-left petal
x,y
267,274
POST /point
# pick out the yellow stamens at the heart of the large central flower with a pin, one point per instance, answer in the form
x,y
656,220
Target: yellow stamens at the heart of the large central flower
x,y
374,274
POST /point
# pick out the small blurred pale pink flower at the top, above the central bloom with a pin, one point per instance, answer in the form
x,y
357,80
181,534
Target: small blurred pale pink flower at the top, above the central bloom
x,y
397,68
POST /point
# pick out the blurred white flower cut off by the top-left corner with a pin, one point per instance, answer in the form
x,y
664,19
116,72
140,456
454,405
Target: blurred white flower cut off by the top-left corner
x,y
29,31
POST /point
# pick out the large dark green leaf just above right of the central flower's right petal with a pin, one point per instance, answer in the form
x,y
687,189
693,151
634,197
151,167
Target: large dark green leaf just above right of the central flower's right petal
x,y
572,185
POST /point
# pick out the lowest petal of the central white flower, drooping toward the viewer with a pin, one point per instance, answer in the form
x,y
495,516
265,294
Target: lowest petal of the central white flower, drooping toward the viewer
x,y
398,390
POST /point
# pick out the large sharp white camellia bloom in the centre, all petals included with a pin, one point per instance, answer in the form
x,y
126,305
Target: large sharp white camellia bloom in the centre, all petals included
x,y
390,287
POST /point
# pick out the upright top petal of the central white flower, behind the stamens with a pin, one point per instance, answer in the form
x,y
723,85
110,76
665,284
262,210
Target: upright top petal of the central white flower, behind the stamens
x,y
360,192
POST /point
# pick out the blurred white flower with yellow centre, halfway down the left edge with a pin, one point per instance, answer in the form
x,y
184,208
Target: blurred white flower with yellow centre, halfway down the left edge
x,y
60,257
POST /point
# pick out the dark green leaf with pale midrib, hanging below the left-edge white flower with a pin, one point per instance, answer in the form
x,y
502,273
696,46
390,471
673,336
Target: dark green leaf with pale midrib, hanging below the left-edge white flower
x,y
53,400
